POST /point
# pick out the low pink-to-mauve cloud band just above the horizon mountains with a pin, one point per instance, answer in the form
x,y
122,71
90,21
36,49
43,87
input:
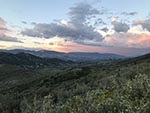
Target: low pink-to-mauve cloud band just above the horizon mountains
x,y
71,46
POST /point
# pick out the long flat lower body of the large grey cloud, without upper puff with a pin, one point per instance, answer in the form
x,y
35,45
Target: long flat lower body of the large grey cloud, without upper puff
x,y
54,29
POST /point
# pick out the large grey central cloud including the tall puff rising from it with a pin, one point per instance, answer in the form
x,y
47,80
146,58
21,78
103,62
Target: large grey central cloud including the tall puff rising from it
x,y
74,29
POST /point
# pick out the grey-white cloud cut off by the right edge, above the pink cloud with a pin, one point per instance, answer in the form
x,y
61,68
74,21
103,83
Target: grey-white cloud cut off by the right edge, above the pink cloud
x,y
145,23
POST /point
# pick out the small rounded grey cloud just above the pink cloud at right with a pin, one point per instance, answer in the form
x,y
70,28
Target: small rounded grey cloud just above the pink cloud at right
x,y
120,27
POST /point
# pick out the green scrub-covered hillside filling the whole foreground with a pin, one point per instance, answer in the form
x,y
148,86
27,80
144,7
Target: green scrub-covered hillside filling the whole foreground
x,y
121,86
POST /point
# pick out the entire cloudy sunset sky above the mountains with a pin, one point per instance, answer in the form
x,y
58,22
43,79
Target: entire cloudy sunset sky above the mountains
x,y
104,26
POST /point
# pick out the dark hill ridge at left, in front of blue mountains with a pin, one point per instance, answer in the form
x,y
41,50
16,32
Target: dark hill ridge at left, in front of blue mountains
x,y
31,61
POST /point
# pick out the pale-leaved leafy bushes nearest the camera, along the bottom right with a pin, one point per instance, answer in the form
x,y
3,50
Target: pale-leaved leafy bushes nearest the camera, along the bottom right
x,y
132,97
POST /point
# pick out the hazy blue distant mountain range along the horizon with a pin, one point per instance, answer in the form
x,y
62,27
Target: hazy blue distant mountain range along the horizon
x,y
73,56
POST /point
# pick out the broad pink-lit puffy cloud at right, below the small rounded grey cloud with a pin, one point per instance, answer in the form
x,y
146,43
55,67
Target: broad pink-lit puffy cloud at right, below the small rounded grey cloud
x,y
128,40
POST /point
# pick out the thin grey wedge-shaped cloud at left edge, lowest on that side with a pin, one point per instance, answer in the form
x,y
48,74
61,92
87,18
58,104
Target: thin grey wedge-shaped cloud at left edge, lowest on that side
x,y
9,39
